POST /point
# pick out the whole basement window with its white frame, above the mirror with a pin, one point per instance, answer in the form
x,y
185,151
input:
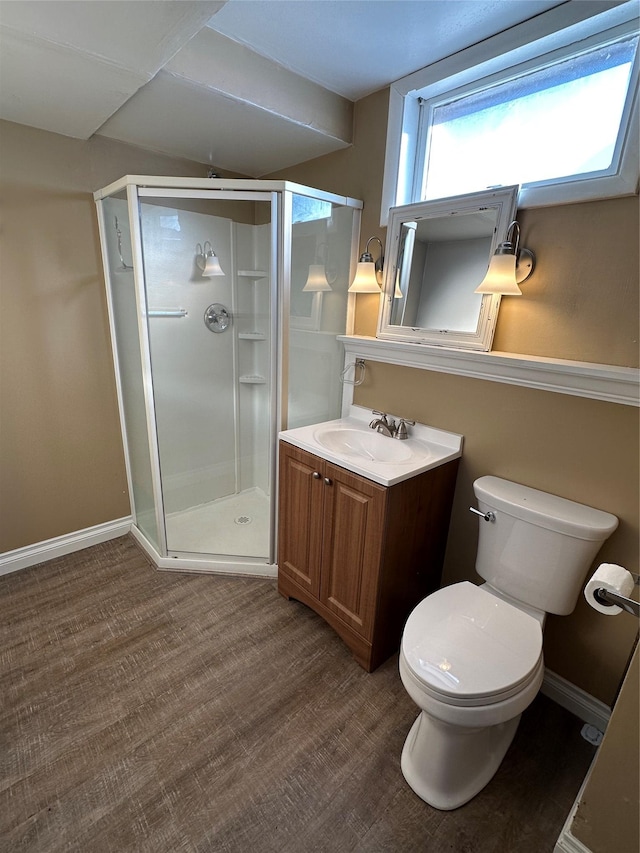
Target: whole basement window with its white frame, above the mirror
x,y
556,118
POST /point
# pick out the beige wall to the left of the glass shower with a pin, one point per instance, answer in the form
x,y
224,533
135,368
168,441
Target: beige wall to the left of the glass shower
x,y
61,459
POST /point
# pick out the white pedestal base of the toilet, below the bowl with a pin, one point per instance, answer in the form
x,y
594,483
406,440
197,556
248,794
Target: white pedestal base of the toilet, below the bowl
x,y
448,765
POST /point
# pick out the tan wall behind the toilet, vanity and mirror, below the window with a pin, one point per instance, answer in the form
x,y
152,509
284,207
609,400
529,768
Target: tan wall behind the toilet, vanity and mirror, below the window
x,y
581,304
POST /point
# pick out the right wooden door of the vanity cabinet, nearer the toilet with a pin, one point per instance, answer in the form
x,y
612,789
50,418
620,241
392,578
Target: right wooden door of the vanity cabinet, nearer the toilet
x,y
354,511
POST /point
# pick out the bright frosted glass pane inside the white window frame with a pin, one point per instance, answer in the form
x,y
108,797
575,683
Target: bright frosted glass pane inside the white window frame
x,y
553,124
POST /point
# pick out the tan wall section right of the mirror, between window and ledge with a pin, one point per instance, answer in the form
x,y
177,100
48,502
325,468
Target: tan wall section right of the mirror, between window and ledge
x,y
581,303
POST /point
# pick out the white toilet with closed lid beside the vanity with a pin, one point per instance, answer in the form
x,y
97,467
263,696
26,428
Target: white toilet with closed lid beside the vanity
x,y
471,656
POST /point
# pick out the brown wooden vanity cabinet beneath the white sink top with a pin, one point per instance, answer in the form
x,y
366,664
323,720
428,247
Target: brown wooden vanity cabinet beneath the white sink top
x,y
361,555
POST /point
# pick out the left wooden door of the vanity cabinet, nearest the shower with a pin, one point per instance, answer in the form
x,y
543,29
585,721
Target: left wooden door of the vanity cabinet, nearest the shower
x,y
300,517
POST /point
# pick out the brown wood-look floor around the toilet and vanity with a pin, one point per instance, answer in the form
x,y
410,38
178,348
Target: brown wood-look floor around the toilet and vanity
x,y
151,711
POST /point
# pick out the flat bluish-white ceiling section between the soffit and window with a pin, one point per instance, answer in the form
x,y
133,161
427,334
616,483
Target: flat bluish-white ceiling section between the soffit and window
x,y
355,47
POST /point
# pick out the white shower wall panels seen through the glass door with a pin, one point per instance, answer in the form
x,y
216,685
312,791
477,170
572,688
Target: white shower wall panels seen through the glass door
x,y
203,414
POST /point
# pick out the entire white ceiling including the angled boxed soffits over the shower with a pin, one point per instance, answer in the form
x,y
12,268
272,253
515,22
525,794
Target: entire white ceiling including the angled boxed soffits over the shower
x,y
249,86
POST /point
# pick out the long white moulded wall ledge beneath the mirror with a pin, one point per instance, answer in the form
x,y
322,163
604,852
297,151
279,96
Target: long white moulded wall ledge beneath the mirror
x,y
605,382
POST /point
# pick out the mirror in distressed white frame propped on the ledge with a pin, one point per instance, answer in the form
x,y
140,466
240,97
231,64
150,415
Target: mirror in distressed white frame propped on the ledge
x,y
437,254
